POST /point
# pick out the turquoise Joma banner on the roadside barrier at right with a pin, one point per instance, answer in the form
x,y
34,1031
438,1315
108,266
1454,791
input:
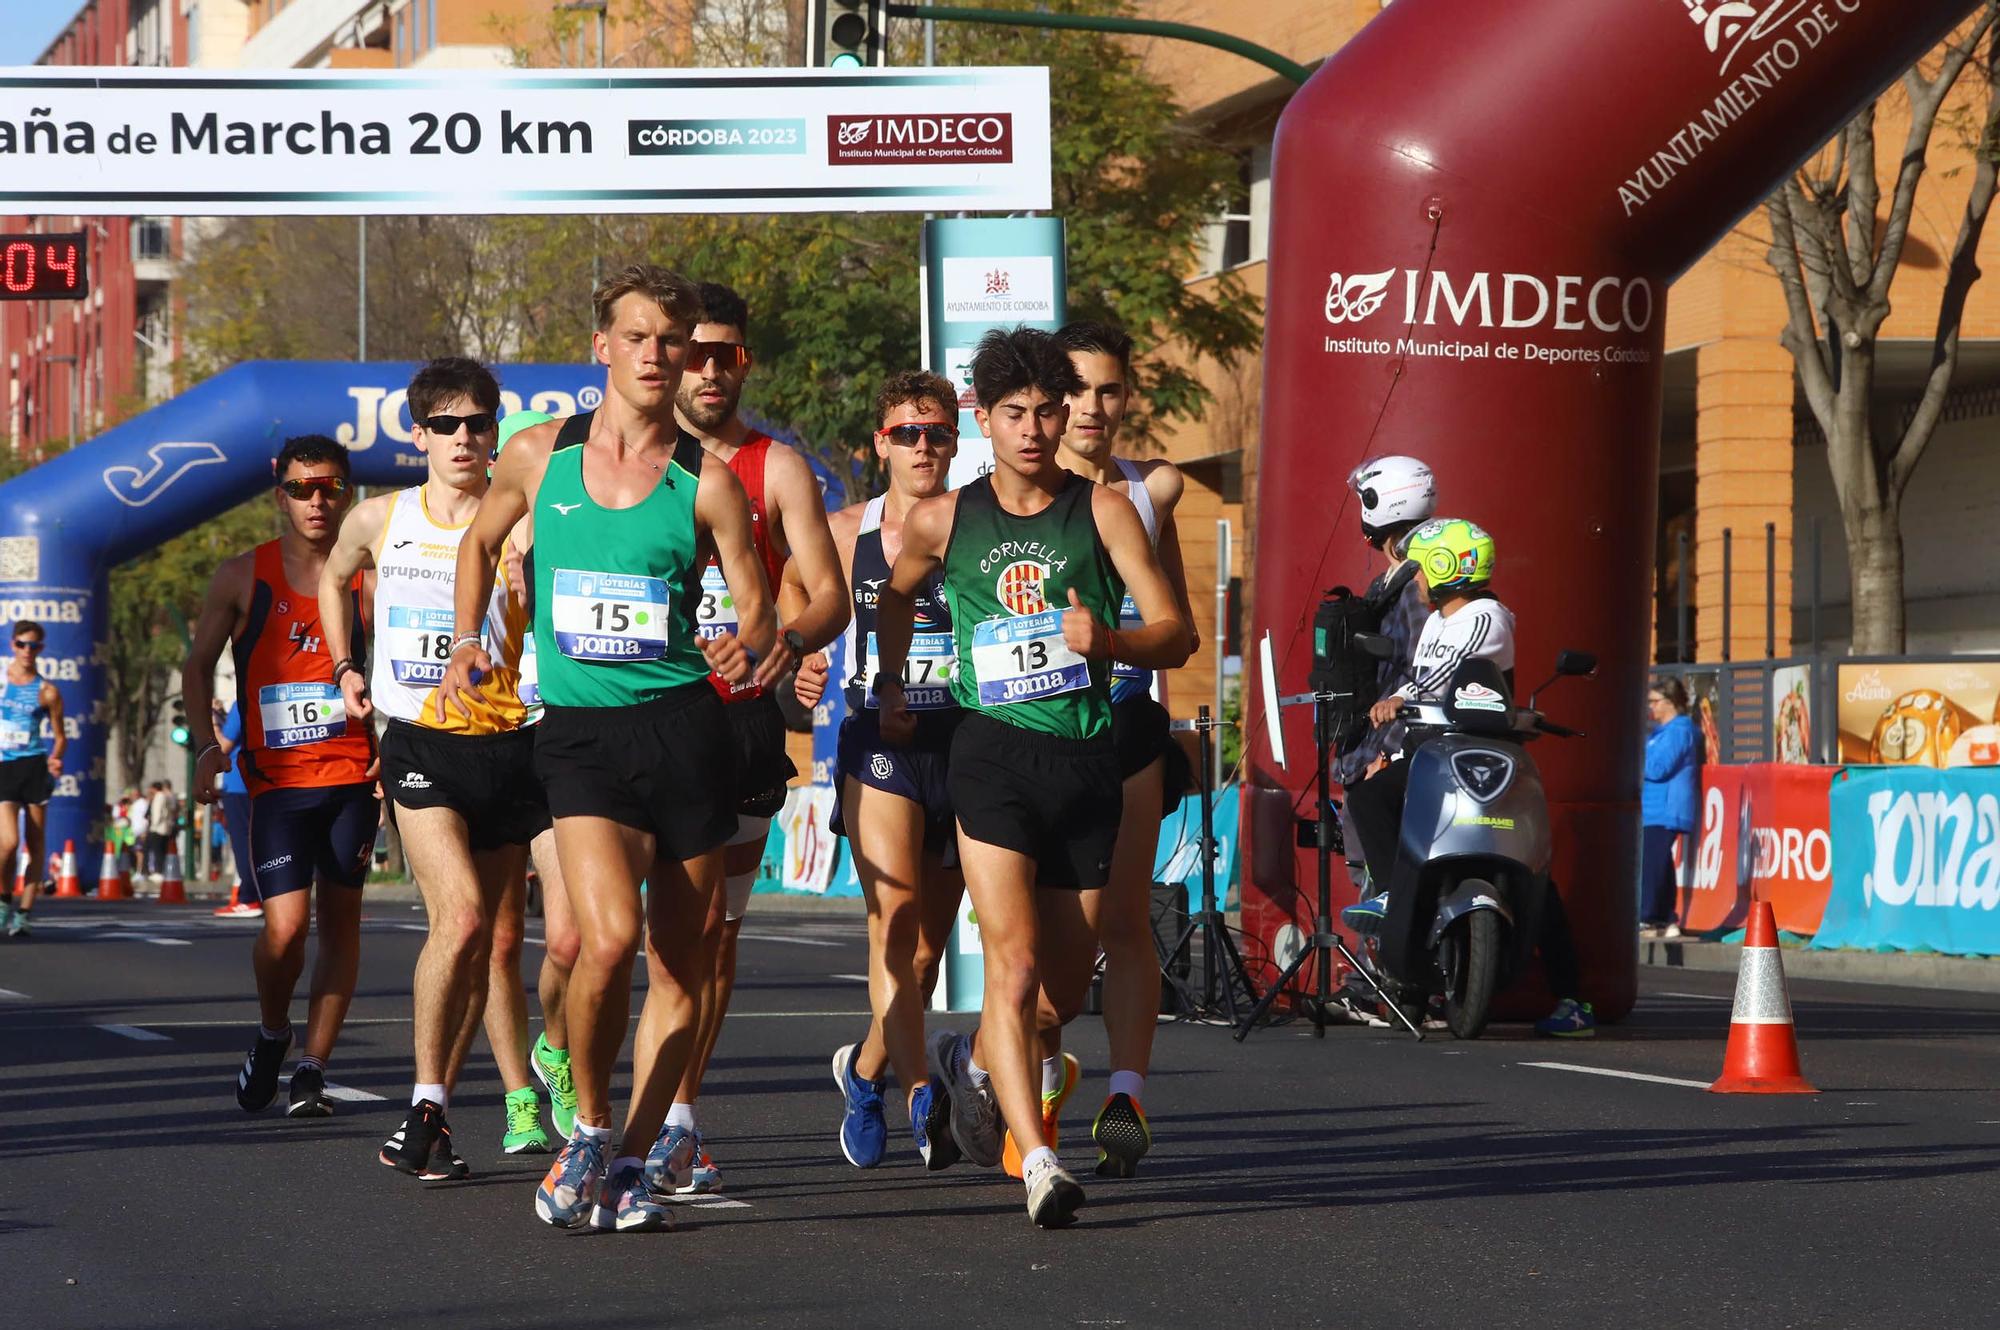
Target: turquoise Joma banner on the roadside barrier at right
x,y
1917,863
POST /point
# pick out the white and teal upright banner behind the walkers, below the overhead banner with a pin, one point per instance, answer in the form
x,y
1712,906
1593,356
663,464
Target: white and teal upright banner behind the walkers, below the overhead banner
x,y
979,275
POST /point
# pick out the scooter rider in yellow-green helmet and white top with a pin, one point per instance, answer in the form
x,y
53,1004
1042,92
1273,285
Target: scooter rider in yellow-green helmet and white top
x,y
1455,567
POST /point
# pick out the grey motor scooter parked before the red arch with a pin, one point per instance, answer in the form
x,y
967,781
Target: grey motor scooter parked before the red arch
x,y
1471,879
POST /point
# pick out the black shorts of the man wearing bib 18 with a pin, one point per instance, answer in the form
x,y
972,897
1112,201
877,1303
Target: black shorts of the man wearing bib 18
x,y
485,779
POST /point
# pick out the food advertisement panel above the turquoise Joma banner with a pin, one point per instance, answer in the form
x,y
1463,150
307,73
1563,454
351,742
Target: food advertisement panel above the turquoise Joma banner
x,y
1919,713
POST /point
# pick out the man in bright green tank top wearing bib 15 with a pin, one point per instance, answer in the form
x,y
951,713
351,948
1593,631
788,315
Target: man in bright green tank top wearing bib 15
x,y
633,747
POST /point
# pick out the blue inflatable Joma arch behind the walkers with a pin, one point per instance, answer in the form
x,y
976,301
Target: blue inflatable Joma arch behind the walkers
x,y
71,521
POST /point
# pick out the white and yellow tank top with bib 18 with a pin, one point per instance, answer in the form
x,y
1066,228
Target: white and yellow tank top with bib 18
x,y
417,569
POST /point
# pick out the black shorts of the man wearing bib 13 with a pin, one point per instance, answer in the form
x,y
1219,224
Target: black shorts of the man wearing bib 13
x,y
1053,799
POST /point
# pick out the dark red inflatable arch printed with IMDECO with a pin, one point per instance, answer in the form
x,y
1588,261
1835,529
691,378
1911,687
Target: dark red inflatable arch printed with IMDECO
x,y
1477,213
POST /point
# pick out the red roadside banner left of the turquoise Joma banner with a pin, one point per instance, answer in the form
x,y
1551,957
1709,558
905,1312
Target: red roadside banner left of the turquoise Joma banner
x,y
1765,829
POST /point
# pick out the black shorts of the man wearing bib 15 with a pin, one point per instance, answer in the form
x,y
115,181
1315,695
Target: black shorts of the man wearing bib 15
x,y
663,767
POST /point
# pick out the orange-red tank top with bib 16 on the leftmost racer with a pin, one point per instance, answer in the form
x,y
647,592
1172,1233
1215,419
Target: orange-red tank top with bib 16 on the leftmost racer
x,y
297,733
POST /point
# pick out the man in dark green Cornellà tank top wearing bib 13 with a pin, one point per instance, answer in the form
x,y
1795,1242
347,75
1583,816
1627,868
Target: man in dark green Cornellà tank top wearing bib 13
x,y
1035,565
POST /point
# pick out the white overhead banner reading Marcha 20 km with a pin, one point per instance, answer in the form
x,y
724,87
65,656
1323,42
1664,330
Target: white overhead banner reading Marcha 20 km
x,y
197,143
